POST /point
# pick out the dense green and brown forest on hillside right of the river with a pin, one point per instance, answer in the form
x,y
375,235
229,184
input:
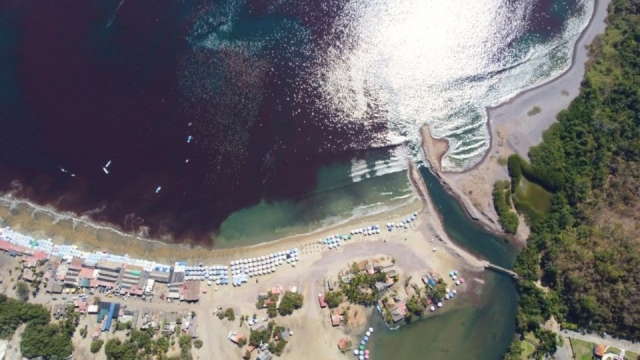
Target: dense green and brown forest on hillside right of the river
x,y
586,251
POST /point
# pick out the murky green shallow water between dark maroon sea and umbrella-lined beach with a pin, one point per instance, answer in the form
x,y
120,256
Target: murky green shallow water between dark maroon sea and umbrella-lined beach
x,y
336,198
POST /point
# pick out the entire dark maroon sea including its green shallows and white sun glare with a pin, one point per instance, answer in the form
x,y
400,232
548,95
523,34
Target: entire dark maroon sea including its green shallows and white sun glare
x,y
298,112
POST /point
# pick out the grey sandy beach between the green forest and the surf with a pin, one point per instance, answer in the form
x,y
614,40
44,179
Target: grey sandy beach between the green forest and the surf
x,y
514,129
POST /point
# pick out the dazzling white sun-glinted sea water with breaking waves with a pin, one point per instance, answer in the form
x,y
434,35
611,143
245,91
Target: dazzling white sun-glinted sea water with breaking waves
x,y
441,64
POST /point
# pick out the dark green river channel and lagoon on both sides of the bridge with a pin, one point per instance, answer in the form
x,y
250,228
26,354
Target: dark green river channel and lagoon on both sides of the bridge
x,y
481,323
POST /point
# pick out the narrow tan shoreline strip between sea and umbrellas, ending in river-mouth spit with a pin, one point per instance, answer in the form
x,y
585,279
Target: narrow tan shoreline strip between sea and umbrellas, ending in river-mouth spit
x,y
43,222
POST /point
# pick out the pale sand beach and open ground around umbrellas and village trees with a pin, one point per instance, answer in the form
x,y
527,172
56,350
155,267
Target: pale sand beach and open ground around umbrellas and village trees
x,y
412,248
